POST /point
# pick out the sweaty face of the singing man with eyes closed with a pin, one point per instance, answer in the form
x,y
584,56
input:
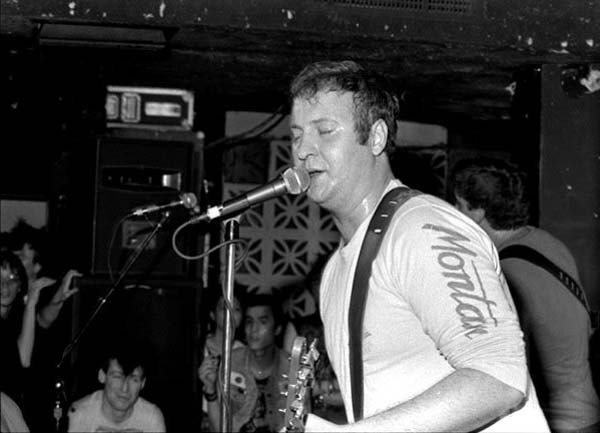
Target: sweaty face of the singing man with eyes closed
x,y
325,143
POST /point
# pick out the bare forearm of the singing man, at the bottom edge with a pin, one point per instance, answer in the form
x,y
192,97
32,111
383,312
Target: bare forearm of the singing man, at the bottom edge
x,y
464,401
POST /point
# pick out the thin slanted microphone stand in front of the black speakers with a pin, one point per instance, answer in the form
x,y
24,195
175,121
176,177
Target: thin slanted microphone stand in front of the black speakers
x,y
59,385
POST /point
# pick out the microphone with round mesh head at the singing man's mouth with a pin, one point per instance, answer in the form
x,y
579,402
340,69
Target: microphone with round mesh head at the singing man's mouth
x,y
294,180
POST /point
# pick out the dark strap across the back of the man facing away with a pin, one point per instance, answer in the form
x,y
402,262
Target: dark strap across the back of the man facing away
x,y
533,256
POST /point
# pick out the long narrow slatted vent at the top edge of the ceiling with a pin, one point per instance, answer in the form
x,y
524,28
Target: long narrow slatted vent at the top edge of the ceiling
x,y
448,7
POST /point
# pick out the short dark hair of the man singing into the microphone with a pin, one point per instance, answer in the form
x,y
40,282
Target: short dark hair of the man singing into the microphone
x,y
372,94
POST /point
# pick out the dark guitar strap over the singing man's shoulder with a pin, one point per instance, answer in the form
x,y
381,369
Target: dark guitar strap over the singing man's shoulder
x,y
378,225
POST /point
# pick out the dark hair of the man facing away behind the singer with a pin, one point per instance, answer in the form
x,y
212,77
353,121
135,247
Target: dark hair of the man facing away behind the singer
x,y
497,187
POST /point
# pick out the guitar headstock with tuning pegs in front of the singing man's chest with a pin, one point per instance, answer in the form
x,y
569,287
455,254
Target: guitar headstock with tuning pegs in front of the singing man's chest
x,y
300,379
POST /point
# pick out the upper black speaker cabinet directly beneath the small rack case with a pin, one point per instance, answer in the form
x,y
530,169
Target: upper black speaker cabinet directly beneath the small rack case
x,y
106,182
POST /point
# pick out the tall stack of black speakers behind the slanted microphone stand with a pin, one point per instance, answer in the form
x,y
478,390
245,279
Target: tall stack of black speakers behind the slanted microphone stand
x,y
158,303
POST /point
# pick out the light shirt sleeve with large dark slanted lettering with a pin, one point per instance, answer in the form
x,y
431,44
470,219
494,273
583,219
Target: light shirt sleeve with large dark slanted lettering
x,y
450,274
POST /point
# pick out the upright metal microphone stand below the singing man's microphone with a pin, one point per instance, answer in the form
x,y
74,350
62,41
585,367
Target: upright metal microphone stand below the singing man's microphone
x,y
231,233
